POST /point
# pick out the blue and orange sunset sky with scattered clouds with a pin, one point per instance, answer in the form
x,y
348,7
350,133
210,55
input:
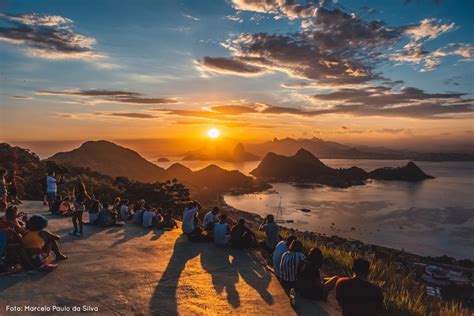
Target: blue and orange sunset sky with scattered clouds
x,y
353,71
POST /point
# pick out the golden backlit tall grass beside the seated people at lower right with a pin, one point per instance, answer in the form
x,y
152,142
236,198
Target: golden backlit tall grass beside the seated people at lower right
x,y
403,295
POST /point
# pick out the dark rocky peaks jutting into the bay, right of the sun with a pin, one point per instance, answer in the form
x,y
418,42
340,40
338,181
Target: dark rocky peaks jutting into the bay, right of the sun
x,y
305,167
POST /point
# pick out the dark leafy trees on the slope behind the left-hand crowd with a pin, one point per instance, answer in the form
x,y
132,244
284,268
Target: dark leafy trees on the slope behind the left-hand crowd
x,y
30,172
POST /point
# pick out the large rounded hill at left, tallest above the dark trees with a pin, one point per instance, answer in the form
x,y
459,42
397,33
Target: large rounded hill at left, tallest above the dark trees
x,y
112,160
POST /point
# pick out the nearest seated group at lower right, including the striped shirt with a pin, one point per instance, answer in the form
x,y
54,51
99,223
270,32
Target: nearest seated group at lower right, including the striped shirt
x,y
301,273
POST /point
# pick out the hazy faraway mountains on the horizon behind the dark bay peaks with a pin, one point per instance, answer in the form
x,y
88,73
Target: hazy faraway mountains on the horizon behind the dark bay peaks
x,y
327,149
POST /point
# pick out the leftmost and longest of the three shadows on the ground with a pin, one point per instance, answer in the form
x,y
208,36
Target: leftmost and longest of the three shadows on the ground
x,y
164,298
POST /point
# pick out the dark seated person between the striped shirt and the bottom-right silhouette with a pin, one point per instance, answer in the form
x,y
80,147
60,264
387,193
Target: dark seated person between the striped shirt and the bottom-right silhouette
x,y
309,282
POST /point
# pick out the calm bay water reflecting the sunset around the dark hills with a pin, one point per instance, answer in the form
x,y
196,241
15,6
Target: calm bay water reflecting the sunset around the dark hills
x,y
433,217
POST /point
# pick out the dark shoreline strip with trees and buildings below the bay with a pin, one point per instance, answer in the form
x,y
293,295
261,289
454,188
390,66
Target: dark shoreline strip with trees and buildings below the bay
x,y
437,274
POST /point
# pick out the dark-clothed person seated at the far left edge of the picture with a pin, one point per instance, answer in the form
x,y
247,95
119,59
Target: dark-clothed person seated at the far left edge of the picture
x,y
13,230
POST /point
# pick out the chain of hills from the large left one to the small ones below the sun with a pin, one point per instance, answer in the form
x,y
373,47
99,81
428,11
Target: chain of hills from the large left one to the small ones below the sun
x,y
114,160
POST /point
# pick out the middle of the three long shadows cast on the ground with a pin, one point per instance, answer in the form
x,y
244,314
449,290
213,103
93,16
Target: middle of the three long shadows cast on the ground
x,y
216,261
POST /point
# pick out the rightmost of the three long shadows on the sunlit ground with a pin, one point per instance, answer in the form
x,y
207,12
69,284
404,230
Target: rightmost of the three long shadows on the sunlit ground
x,y
253,273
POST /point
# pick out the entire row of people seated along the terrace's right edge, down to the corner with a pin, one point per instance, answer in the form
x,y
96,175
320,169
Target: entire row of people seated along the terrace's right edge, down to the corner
x,y
297,272
